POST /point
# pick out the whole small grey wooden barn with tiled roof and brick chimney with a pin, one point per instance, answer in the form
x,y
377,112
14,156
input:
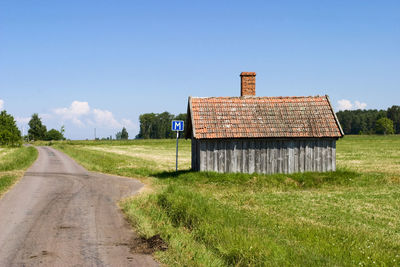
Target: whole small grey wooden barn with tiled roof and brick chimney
x,y
262,134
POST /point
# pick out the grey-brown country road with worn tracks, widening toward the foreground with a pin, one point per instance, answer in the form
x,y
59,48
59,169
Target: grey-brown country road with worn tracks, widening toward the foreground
x,y
59,214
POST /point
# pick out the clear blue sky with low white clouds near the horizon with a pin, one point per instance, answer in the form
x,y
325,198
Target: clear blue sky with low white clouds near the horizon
x,y
100,64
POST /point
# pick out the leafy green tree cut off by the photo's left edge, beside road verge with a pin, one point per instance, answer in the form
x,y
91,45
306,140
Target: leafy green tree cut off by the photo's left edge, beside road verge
x,y
10,135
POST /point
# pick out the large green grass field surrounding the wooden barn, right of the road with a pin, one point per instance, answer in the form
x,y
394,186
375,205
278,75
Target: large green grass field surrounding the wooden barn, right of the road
x,y
344,218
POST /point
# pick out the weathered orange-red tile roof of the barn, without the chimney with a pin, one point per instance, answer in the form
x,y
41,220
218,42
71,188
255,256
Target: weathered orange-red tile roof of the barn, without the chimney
x,y
261,117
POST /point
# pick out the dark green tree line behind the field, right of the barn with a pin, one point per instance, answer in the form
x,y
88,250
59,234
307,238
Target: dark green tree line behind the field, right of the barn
x,y
370,121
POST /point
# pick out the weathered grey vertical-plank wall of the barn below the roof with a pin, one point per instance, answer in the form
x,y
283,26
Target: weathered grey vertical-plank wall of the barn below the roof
x,y
264,155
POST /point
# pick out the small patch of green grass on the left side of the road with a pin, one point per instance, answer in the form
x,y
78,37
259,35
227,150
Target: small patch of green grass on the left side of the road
x,y
13,163
